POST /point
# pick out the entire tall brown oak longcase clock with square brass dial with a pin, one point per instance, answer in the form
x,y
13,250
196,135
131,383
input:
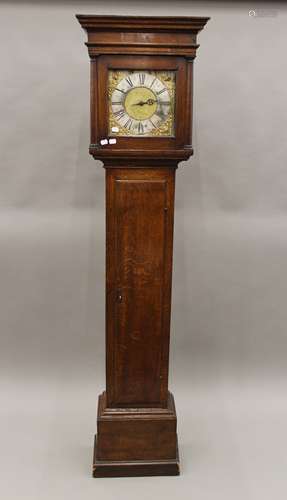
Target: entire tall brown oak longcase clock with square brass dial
x,y
141,119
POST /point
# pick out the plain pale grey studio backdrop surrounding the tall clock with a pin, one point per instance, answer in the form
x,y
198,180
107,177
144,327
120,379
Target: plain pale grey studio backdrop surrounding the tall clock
x,y
228,350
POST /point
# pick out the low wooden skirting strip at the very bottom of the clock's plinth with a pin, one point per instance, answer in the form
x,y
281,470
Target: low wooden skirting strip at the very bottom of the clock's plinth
x,y
109,468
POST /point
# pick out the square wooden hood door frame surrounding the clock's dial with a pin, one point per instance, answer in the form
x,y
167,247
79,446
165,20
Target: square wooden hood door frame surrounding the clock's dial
x,y
143,145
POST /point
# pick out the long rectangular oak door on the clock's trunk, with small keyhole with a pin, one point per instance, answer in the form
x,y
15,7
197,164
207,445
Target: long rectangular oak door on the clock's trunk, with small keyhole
x,y
140,230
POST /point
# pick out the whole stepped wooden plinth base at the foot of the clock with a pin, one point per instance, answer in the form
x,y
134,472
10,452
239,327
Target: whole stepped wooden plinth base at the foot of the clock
x,y
136,441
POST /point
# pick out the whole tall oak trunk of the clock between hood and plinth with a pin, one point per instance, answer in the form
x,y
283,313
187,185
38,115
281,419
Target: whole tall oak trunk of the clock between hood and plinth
x,y
140,223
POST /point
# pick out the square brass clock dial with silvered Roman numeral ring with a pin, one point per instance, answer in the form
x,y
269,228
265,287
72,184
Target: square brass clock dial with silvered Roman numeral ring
x,y
141,103
